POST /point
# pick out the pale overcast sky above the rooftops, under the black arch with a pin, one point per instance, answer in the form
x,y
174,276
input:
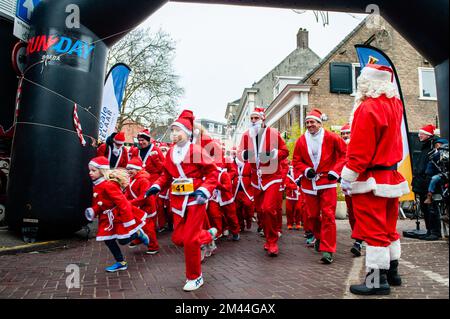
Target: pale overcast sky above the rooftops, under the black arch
x,y
223,49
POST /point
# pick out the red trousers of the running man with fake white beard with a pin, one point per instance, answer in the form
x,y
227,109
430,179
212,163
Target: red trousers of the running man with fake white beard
x,y
271,202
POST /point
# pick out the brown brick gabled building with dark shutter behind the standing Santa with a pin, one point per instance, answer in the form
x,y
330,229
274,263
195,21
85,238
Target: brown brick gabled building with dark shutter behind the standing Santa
x,y
330,86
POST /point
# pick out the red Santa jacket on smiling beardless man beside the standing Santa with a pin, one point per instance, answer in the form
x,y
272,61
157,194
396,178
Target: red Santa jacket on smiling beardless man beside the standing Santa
x,y
330,159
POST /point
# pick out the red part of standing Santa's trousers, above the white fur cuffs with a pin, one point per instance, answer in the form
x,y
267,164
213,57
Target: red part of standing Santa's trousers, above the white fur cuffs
x,y
376,219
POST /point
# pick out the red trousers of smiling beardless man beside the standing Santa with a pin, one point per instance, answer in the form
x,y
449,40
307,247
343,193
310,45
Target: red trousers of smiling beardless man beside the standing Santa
x,y
321,219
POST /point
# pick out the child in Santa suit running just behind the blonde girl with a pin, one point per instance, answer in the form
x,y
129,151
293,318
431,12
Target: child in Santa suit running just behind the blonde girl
x,y
135,193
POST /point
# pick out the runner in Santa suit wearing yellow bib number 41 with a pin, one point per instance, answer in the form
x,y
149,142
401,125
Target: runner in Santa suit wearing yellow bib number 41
x,y
192,177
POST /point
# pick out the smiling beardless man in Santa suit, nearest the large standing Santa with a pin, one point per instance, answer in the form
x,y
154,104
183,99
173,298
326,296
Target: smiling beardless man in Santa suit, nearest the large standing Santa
x,y
319,156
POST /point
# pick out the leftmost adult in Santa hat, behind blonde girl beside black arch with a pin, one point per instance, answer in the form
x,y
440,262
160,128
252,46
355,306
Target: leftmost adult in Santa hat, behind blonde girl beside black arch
x,y
114,150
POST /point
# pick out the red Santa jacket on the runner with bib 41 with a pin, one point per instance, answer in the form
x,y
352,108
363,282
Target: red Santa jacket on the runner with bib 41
x,y
191,162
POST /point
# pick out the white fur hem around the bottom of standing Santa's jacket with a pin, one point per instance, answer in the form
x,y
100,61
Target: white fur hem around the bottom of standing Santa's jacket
x,y
380,190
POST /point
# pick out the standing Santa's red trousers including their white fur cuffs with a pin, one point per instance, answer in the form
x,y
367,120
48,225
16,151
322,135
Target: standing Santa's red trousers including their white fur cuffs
x,y
376,224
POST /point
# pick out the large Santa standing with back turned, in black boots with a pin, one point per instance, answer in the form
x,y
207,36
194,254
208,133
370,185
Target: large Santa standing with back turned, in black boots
x,y
371,177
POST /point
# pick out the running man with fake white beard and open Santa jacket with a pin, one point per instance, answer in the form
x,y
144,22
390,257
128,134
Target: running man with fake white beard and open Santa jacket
x,y
264,149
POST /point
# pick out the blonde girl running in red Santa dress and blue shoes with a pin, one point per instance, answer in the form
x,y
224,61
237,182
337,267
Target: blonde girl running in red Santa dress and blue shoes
x,y
118,220
